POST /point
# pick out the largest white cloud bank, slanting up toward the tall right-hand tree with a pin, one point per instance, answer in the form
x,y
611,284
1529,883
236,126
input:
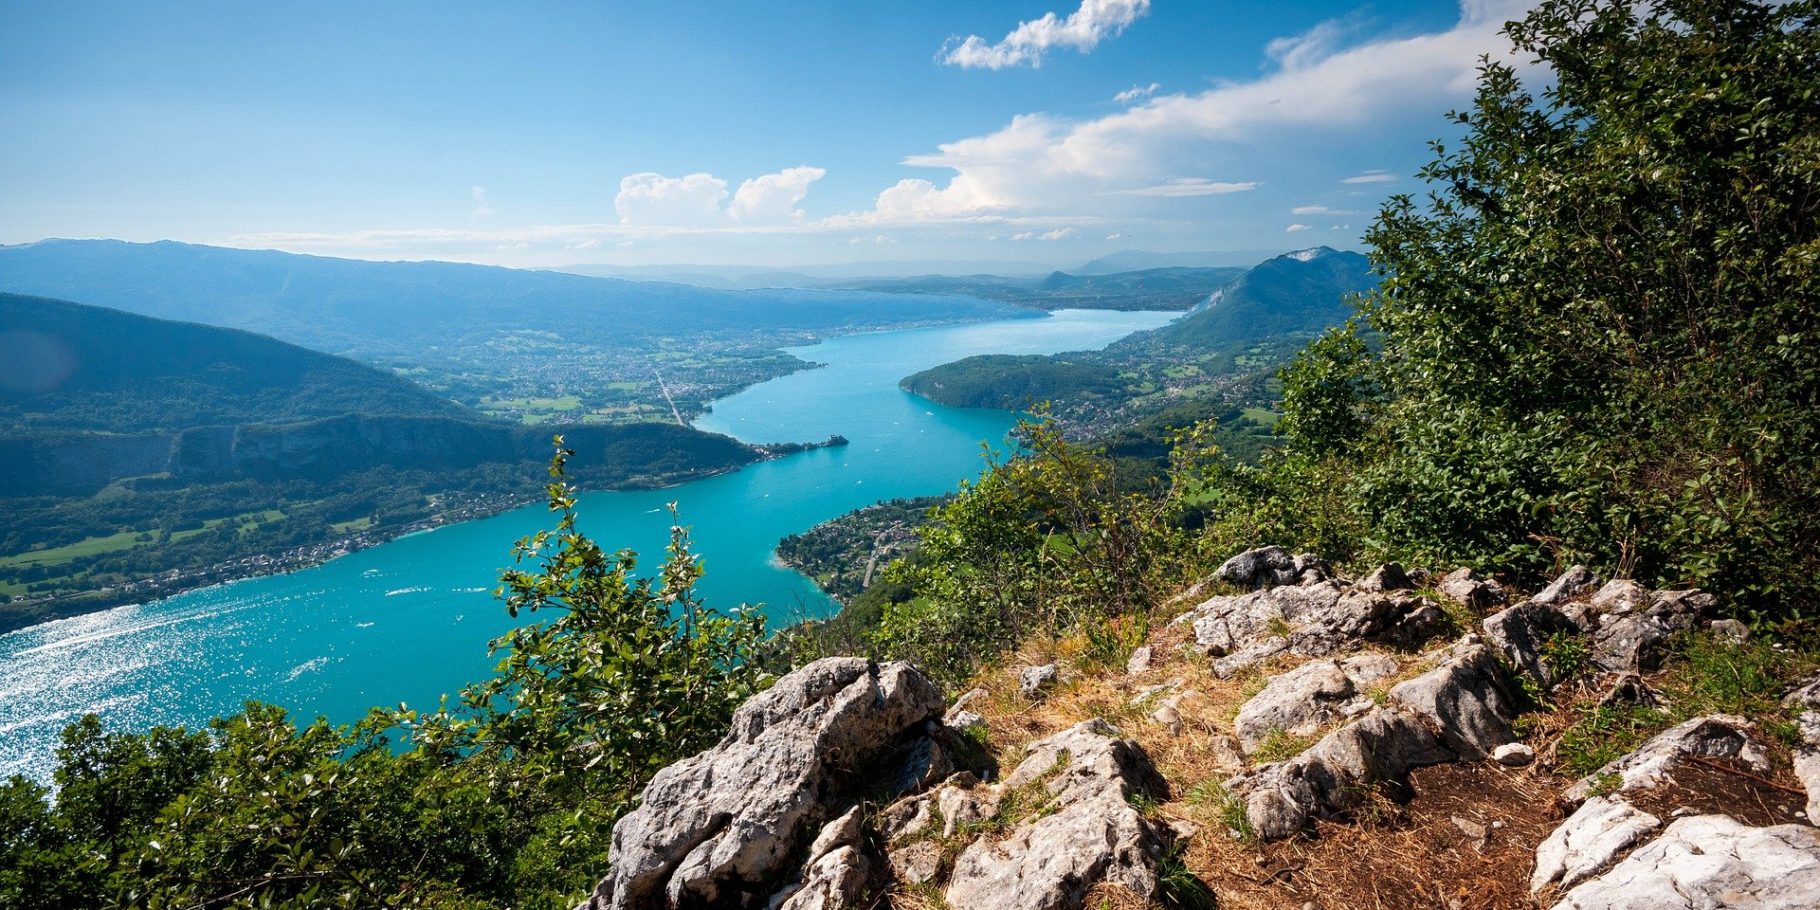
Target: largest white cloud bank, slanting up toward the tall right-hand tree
x,y
1326,81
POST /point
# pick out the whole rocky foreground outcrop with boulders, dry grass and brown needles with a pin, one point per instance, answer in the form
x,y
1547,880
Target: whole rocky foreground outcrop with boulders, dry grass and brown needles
x,y
1286,740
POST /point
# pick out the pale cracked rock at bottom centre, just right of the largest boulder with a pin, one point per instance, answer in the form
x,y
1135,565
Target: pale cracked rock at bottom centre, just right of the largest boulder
x,y
1095,836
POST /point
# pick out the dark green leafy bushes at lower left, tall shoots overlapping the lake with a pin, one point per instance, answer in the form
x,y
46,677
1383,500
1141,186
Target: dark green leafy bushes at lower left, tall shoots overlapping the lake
x,y
503,800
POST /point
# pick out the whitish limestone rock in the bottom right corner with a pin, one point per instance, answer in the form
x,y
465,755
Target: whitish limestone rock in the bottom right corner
x,y
1712,862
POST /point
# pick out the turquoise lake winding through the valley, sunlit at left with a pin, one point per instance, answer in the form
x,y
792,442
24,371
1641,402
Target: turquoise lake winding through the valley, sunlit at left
x,y
410,620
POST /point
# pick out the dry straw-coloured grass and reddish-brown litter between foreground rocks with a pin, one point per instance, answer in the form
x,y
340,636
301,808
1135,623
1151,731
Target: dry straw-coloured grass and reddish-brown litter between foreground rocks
x,y
1390,856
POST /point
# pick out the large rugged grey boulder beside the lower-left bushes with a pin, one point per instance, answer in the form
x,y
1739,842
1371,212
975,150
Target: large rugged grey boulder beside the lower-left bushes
x,y
723,824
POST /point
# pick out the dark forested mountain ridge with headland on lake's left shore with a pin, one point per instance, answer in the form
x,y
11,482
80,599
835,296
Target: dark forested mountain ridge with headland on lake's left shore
x,y
137,447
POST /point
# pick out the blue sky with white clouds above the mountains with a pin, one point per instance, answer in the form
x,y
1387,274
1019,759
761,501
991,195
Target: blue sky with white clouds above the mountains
x,y
774,134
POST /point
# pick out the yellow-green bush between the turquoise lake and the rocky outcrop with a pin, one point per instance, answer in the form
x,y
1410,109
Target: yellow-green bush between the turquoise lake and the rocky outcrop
x,y
1040,543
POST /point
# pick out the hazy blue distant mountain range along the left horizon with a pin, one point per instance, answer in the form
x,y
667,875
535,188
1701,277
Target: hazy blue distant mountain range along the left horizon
x,y
414,308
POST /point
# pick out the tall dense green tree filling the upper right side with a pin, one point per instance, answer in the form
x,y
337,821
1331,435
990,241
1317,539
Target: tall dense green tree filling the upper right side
x,y
1599,330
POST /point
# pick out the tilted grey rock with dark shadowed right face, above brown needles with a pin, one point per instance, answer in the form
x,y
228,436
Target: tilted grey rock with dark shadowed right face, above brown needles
x,y
1464,700
